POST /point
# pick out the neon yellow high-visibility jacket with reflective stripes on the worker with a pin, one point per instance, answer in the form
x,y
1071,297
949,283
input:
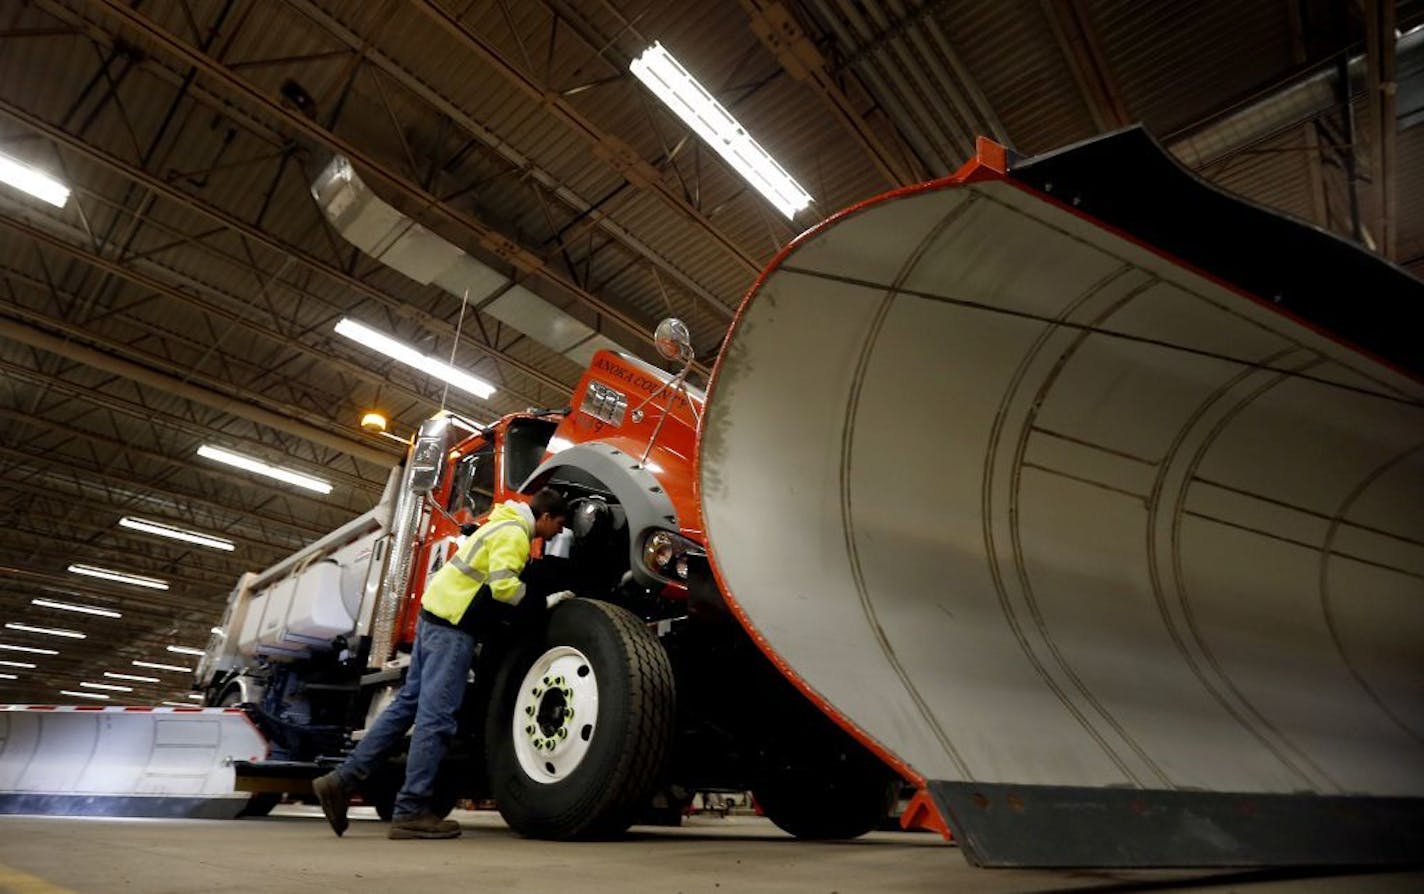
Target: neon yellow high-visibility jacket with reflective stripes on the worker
x,y
493,556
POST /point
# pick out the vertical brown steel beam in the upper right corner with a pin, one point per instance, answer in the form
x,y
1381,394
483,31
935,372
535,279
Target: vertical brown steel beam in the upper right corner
x,y
1381,66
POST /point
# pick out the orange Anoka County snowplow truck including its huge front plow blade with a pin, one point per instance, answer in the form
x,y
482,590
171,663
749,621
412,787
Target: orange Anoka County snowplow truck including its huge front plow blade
x,y
1073,495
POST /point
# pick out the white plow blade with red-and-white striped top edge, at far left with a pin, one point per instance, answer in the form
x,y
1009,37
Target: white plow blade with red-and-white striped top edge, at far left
x,y
150,762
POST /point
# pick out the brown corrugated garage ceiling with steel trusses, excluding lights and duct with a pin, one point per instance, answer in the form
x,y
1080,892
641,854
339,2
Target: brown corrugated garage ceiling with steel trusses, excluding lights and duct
x,y
187,294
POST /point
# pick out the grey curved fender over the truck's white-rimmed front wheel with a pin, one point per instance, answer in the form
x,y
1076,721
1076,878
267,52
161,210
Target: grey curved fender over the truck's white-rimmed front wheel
x,y
636,489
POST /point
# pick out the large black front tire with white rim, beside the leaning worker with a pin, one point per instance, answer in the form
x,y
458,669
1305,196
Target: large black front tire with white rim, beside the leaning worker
x,y
580,724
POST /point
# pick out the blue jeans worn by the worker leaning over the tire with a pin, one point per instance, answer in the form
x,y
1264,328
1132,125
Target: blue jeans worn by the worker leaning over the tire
x,y
431,700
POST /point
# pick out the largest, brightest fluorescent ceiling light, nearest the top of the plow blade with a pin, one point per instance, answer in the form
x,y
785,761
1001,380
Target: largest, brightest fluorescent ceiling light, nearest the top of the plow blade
x,y
691,102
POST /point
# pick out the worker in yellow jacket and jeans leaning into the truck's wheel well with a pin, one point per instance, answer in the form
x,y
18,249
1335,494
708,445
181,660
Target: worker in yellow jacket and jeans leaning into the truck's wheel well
x,y
465,596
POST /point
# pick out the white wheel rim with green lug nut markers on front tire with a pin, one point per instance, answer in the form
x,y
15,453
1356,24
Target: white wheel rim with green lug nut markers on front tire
x,y
556,715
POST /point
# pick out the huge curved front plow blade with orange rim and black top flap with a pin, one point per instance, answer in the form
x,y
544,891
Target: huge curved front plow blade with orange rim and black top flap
x,y
1093,500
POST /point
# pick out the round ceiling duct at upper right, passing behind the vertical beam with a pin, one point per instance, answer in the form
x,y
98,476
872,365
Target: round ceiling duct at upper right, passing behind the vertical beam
x,y
1299,103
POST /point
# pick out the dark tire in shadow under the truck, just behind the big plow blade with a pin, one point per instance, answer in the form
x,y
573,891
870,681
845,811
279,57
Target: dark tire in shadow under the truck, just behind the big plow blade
x,y
835,801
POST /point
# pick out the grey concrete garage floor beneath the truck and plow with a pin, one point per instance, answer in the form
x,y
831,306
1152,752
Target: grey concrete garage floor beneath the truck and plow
x,y
294,852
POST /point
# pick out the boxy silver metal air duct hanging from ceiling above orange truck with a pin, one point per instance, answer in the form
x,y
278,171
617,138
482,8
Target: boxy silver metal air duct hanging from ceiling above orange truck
x,y
377,228
